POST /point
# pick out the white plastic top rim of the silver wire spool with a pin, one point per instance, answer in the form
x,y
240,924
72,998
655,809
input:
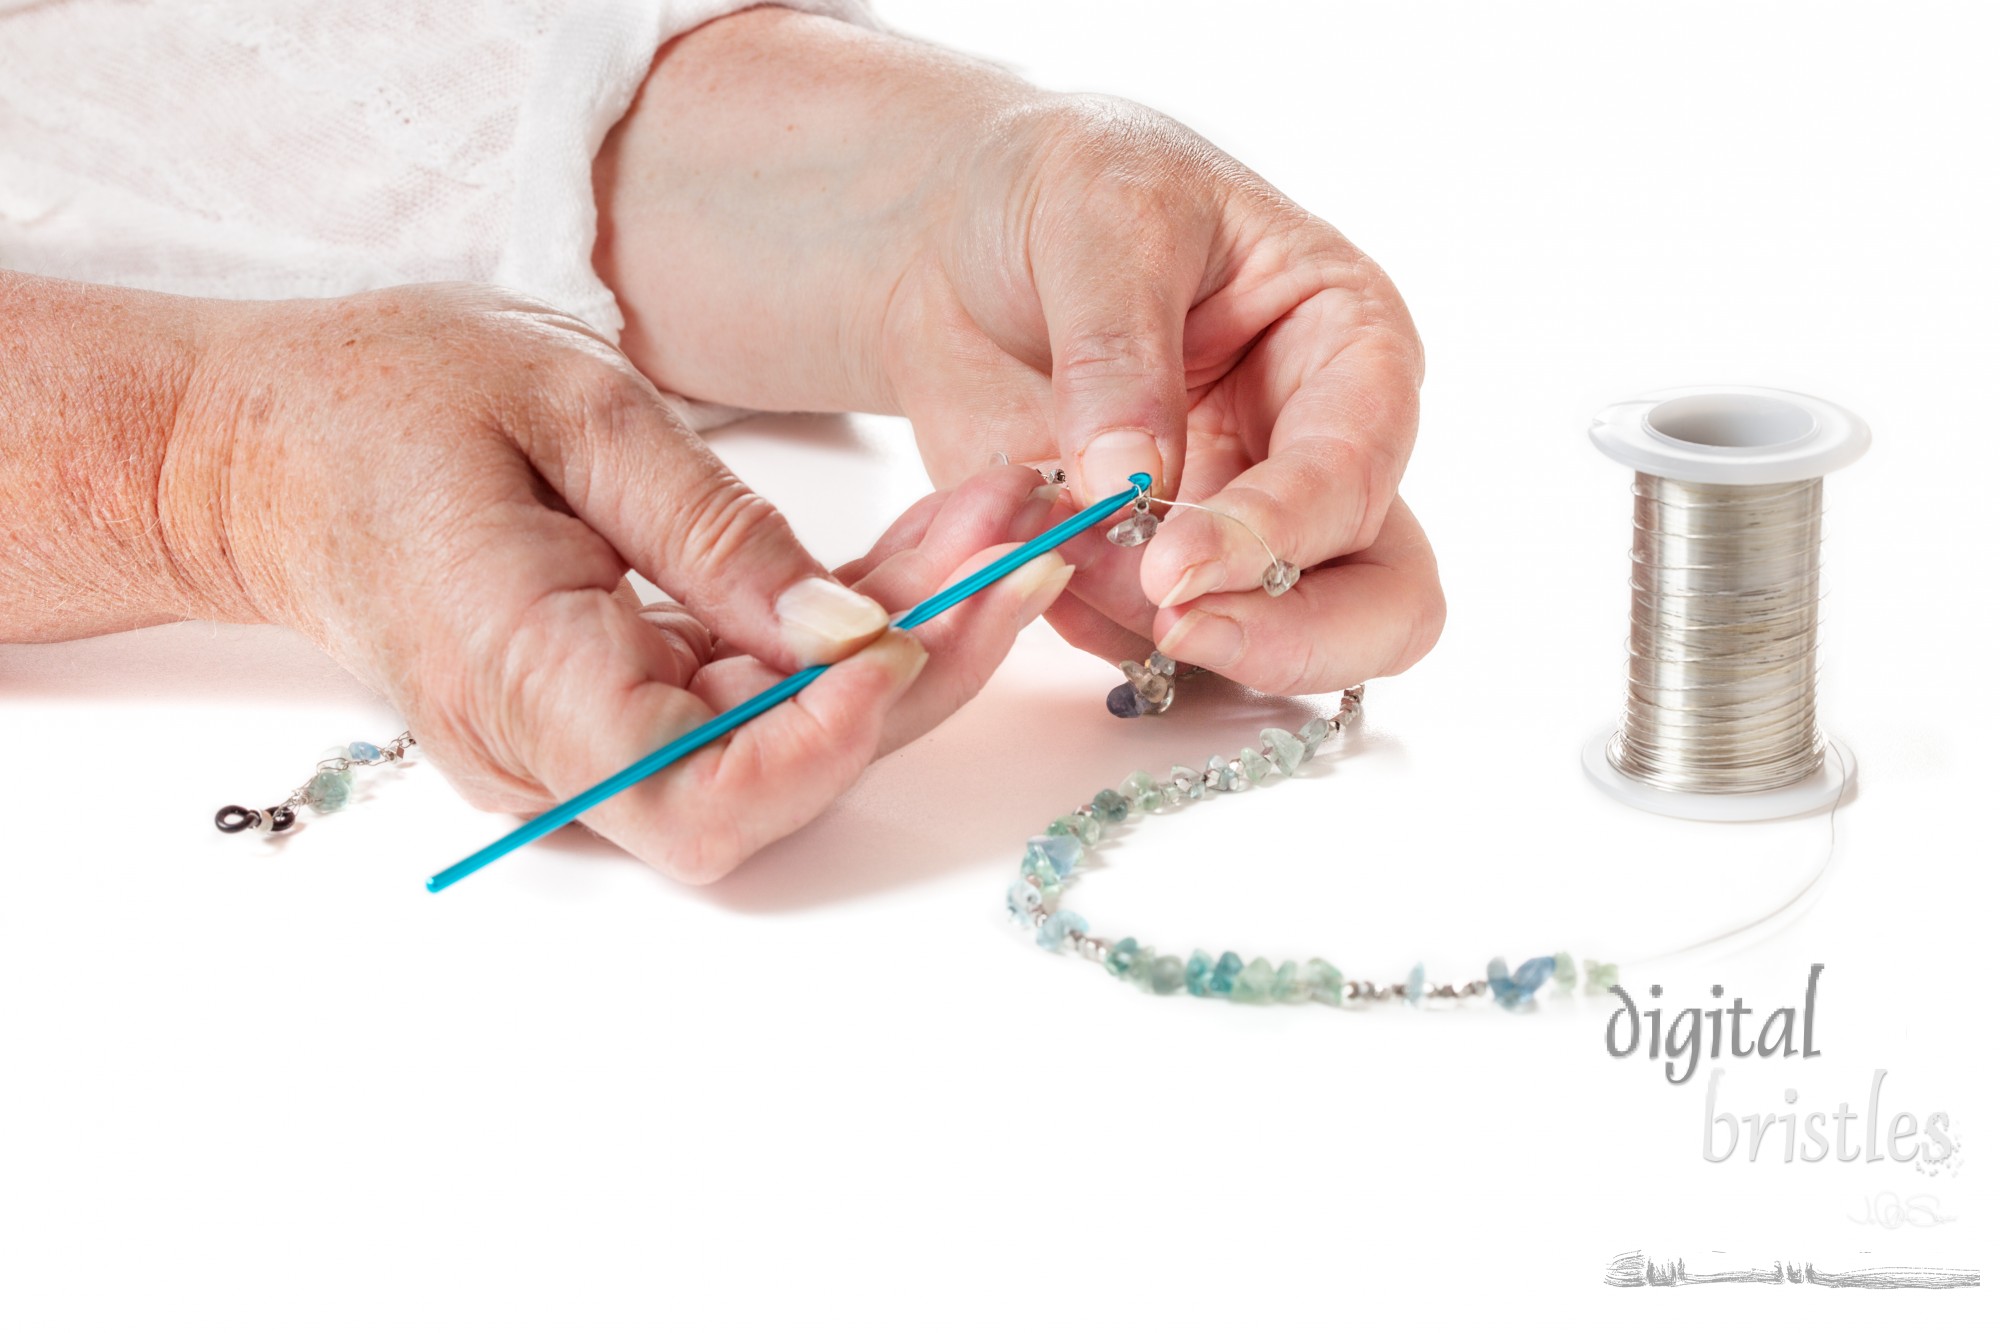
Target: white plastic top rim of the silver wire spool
x,y
1733,435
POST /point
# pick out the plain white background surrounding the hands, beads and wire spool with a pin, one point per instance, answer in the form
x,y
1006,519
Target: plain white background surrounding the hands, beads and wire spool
x,y
279,1086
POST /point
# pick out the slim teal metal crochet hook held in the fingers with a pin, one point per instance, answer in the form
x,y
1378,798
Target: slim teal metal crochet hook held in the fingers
x,y
725,724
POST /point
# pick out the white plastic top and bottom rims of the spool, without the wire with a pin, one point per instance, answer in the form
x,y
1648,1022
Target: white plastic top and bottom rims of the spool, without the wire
x,y
1729,435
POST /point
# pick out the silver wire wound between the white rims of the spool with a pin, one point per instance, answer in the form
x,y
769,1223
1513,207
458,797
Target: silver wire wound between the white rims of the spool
x,y
1721,690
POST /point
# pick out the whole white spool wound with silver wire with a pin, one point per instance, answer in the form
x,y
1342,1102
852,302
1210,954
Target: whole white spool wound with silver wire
x,y
1721,714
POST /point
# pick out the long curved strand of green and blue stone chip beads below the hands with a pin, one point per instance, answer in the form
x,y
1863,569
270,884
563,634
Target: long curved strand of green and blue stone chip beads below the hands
x,y
1049,868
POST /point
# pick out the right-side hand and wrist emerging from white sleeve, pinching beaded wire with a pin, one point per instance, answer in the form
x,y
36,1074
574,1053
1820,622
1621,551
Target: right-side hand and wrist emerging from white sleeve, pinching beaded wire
x,y
1043,277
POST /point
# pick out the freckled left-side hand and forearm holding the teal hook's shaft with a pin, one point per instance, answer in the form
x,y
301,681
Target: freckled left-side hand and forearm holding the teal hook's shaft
x,y
445,487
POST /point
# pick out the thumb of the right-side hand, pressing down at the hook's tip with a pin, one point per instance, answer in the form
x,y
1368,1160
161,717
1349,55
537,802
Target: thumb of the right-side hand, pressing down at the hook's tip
x,y
1115,339
